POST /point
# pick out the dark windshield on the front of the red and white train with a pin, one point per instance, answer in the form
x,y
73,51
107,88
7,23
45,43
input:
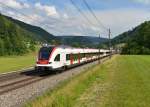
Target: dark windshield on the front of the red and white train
x,y
45,53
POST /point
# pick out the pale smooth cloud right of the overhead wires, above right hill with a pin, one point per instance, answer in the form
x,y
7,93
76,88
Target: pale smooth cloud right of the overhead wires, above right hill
x,y
121,20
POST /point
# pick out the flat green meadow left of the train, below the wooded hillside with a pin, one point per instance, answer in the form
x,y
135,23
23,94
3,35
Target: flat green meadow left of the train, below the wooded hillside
x,y
13,63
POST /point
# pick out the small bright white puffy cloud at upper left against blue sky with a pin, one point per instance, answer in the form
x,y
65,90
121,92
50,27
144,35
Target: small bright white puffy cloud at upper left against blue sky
x,y
50,10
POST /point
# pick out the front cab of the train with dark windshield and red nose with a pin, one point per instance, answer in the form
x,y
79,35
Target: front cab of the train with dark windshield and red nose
x,y
49,58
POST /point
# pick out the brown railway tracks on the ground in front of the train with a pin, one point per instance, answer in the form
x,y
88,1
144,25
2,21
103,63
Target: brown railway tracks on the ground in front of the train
x,y
17,80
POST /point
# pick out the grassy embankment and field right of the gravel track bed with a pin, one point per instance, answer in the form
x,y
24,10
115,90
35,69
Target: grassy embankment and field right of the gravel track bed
x,y
124,81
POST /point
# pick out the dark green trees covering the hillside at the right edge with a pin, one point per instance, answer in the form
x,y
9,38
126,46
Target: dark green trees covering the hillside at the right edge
x,y
137,40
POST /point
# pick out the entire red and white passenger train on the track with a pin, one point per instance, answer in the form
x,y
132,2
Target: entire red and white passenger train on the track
x,y
62,57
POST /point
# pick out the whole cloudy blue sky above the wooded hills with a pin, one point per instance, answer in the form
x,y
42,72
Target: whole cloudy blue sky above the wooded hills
x,y
61,17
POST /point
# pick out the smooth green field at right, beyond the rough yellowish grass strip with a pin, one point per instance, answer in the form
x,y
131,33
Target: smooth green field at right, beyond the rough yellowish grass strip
x,y
131,83
